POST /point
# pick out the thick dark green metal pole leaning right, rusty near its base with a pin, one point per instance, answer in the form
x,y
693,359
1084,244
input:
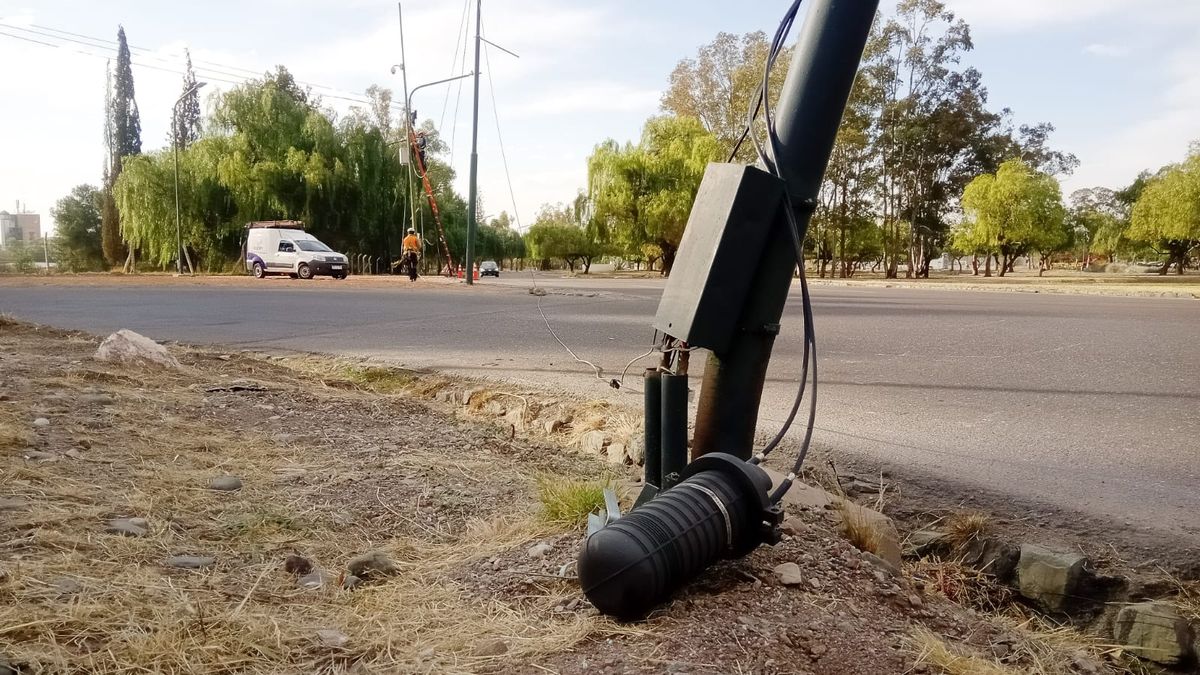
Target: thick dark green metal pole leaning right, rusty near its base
x,y
824,65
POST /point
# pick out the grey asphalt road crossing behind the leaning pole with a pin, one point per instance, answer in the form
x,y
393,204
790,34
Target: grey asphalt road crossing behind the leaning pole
x,y
1087,403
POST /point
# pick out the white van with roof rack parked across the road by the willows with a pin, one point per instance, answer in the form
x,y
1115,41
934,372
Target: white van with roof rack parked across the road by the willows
x,y
283,247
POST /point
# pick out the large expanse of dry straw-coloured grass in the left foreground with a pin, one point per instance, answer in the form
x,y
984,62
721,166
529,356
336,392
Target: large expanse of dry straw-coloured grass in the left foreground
x,y
82,601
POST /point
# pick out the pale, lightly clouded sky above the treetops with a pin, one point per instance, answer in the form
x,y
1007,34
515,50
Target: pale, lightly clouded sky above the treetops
x,y
1118,79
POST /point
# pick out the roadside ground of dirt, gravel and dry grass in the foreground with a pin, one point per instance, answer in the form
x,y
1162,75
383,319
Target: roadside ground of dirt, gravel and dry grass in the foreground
x,y
334,463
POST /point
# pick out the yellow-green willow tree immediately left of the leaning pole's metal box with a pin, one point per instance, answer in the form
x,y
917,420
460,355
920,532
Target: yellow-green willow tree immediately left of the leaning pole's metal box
x,y
643,194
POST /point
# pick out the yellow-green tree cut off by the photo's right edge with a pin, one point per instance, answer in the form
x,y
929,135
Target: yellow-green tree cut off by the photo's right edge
x,y
1168,214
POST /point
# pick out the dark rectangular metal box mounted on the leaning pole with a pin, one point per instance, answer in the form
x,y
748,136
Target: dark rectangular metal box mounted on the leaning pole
x,y
734,212
